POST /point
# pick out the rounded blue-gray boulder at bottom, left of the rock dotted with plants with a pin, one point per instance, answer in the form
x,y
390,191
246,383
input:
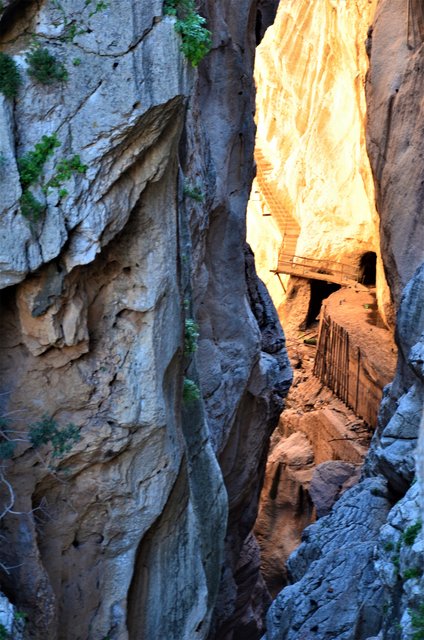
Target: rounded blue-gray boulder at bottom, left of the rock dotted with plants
x,y
335,591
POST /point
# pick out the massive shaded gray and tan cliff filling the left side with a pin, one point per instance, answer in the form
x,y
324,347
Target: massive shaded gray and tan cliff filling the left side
x,y
126,536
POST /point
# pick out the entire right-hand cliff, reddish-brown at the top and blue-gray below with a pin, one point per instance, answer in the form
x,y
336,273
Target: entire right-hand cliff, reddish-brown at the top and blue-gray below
x,y
327,597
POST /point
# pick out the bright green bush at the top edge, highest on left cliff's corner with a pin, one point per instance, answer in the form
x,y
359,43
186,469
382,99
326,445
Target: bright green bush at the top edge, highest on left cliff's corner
x,y
196,39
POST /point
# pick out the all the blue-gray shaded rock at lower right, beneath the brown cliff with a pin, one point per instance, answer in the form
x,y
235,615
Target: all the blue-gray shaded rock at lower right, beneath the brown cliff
x,y
355,576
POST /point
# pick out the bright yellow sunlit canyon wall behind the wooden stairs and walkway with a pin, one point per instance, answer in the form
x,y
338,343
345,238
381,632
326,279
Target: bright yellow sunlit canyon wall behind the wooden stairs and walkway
x,y
310,75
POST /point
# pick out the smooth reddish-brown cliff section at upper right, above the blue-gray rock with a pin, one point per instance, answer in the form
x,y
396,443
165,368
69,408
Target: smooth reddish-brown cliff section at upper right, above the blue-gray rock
x,y
395,141
